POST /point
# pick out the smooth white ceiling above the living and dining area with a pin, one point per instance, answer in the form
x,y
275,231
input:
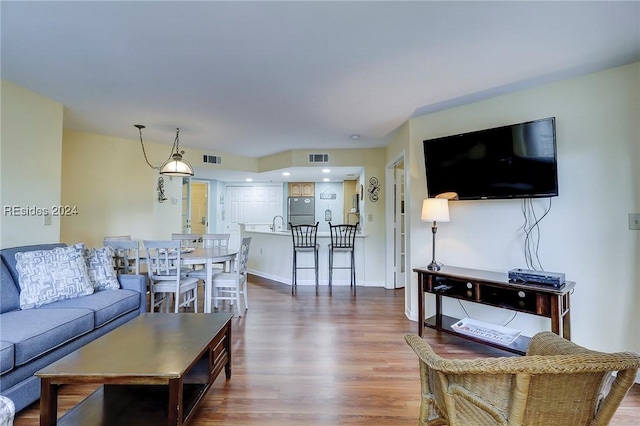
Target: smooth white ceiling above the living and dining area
x,y
257,78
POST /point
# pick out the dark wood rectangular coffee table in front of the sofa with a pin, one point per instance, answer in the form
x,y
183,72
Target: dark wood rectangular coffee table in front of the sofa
x,y
155,370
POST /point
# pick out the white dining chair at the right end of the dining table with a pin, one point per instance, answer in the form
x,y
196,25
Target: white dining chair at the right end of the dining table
x,y
232,285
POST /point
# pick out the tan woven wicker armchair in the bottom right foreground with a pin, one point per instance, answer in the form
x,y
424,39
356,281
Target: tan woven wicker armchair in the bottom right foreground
x,y
556,383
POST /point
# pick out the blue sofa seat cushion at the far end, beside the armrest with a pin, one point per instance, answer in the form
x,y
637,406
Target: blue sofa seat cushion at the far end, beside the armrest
x,y
106,305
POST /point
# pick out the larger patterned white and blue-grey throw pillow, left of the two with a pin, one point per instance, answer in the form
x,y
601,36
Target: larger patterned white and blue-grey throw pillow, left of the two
x,y
46,276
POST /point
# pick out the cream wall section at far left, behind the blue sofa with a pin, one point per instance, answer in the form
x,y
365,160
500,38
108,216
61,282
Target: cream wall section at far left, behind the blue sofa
x,y
30,165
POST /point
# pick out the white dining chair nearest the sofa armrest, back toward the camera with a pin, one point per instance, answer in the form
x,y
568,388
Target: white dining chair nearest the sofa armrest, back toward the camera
x,y
164,266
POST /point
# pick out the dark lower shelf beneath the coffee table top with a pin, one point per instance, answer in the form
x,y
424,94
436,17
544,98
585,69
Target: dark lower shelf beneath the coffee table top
x,y
130,405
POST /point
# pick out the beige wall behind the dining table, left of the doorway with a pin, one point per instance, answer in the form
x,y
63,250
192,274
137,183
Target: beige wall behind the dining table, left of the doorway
x,y
115,190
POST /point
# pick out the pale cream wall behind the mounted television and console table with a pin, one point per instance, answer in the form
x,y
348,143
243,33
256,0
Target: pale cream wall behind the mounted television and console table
x,y
585,235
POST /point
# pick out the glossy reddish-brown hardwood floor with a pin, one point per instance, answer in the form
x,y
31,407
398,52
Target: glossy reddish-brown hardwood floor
x,y
322,360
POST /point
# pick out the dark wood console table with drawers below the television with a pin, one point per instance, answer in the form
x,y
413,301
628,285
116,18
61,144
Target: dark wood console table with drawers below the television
x,y
493,289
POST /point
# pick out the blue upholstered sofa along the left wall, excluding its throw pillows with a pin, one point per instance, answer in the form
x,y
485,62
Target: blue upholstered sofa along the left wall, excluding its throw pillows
x,y
33,338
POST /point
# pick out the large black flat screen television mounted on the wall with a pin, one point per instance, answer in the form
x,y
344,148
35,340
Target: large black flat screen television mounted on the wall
x,y
515,161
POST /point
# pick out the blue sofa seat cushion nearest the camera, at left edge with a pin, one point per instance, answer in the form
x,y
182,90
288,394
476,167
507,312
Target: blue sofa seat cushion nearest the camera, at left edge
x,y
35,332
